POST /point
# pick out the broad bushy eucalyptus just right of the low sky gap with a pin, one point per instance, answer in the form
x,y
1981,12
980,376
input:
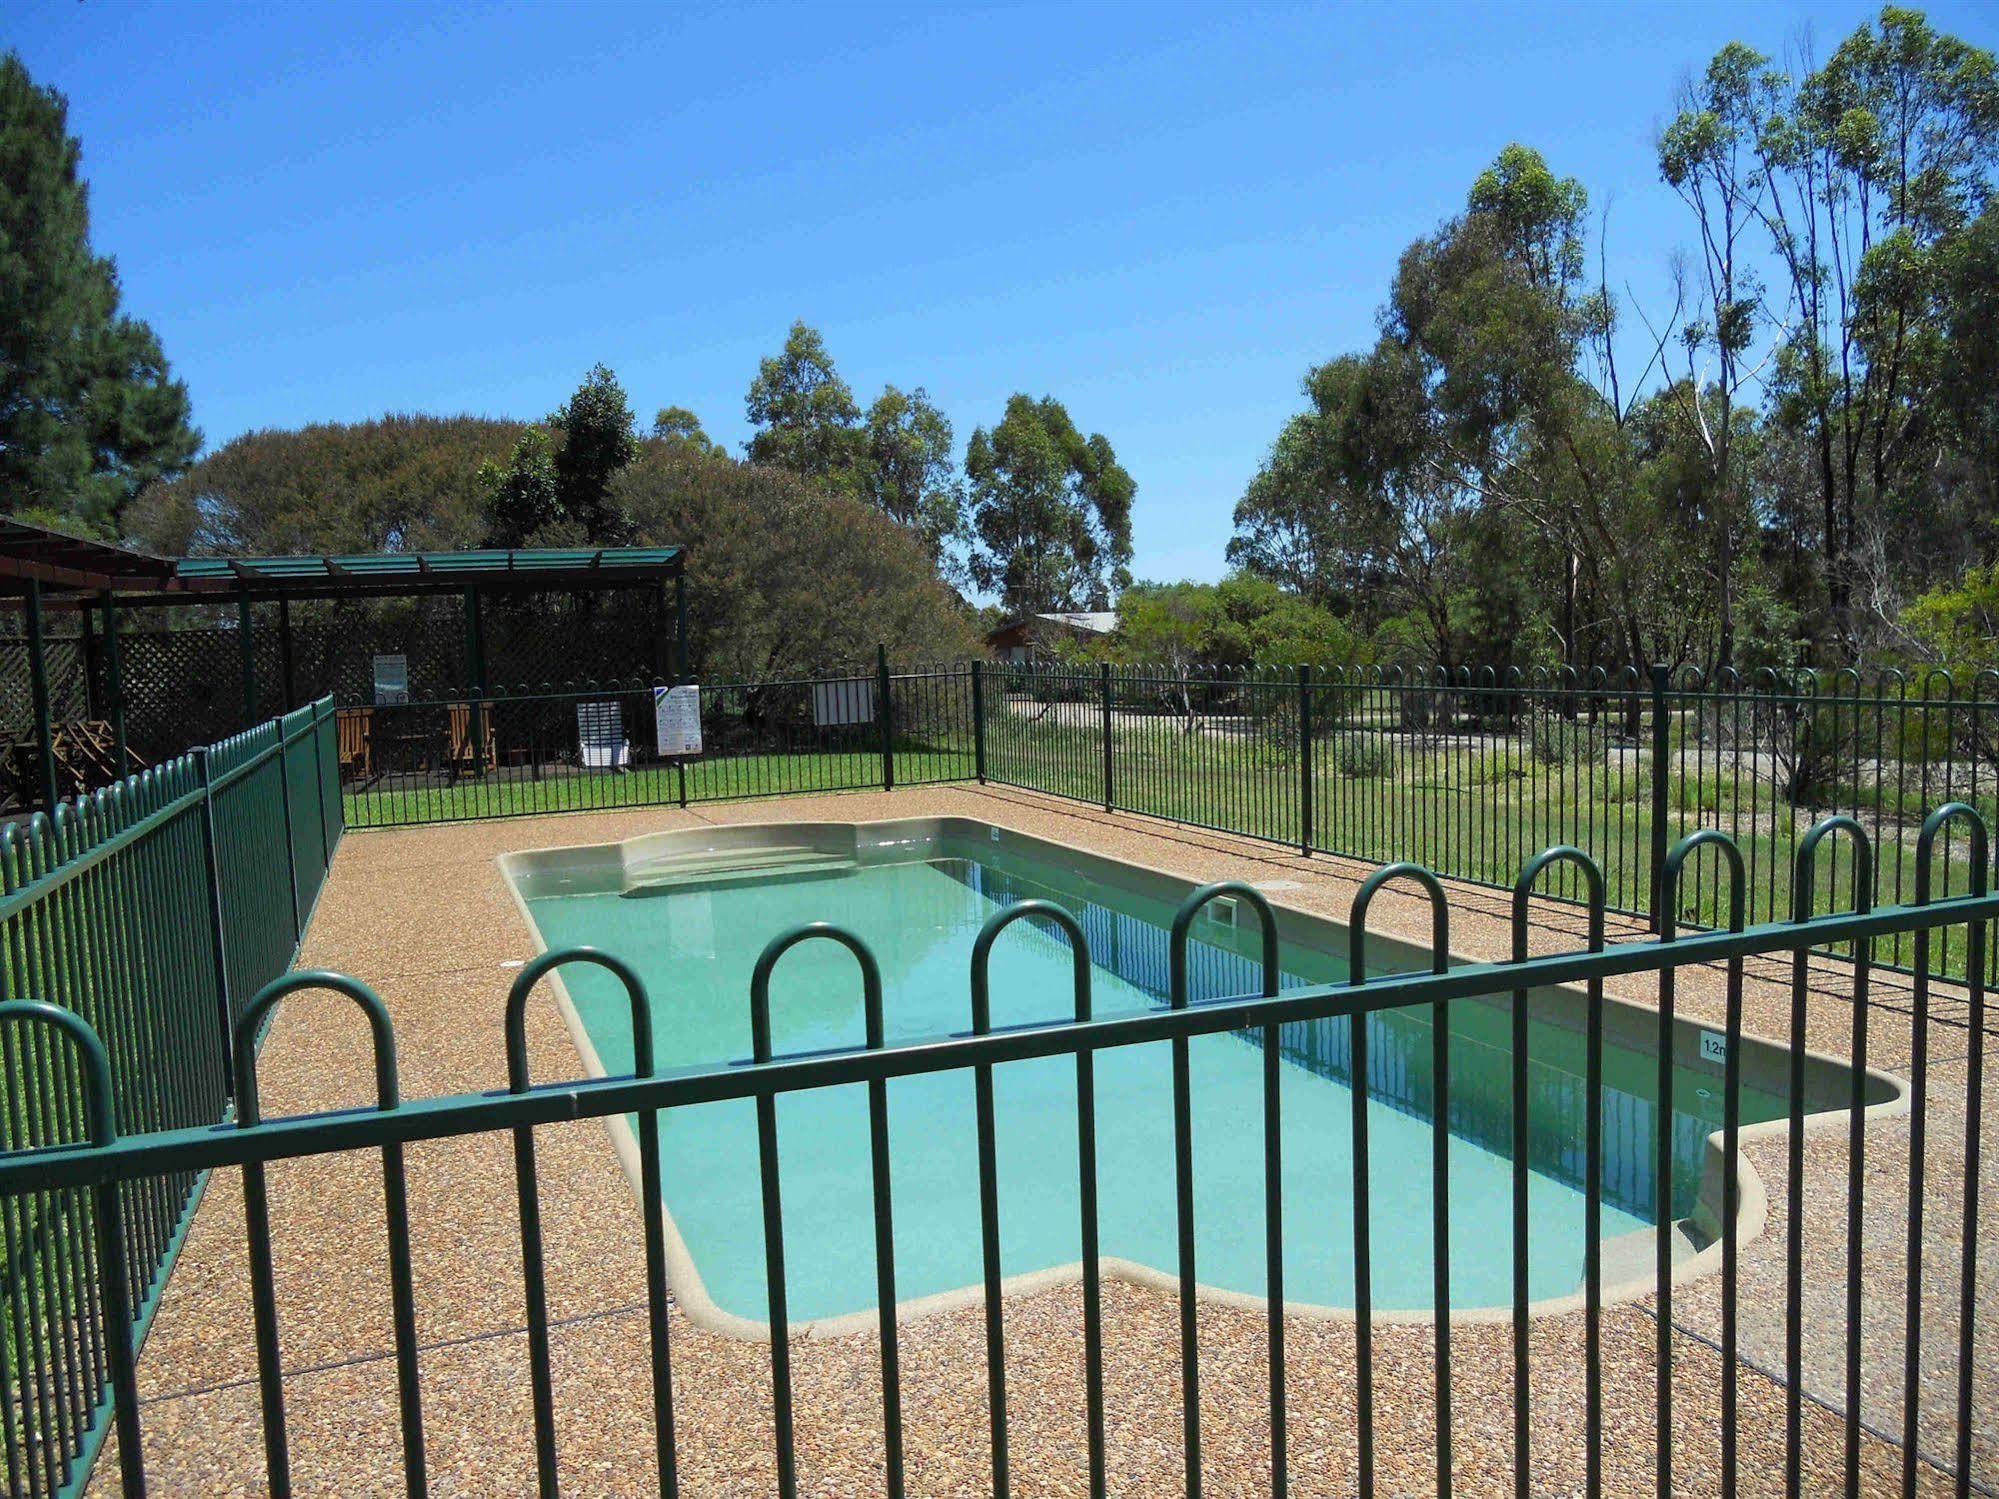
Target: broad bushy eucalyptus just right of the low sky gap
x,y
1482,461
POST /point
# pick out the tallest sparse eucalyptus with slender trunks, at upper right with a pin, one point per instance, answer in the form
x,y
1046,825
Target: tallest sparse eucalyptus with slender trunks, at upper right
x,y
1862,175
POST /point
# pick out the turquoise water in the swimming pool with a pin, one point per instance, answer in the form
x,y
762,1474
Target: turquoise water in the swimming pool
x,y
697,946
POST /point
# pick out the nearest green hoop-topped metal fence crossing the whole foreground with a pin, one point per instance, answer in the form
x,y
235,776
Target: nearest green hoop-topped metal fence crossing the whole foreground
x,y
1918,1438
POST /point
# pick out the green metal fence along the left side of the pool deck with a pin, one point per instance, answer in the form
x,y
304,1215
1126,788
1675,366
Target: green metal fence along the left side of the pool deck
x,y
149,912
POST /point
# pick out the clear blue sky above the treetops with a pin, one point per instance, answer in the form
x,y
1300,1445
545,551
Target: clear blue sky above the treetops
x,y
1160,215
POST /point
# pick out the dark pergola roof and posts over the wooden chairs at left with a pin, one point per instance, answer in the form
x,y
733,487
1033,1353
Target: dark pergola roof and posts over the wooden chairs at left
x,y
47,571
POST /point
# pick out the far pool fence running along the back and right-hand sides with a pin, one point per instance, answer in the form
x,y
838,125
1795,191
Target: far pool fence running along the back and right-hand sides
x,y
1466,772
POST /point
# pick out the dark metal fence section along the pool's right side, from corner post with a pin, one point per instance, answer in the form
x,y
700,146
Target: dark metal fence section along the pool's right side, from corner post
x,y
1472,774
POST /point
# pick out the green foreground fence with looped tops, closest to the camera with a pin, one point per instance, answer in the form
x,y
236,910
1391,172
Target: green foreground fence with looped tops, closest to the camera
x,y
393,1122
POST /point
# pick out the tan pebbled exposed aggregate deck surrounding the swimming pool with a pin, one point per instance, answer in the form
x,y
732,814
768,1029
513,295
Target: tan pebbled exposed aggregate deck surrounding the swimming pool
x,y
425,918
